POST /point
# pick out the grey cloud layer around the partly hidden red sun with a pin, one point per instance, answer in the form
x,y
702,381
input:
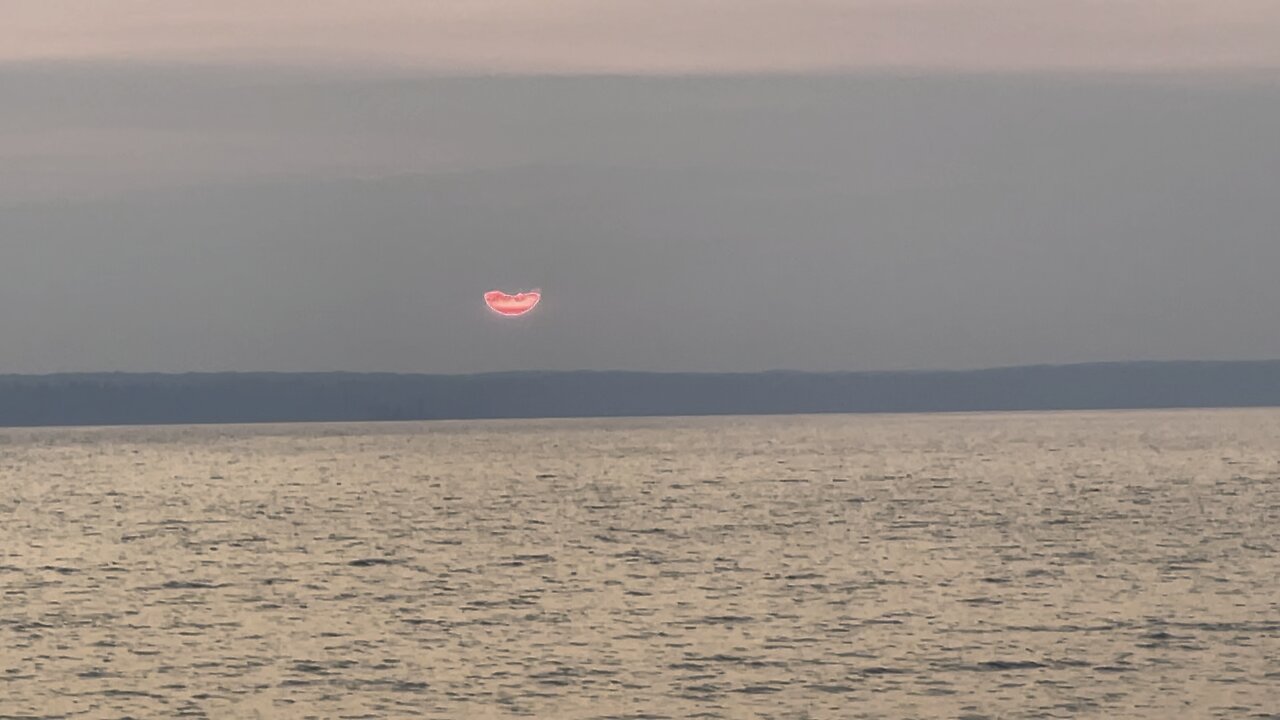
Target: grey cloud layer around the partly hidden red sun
x,y
257,221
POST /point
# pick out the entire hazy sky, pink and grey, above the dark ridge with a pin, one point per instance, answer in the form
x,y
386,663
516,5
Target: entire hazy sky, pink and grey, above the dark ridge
x,y
289,186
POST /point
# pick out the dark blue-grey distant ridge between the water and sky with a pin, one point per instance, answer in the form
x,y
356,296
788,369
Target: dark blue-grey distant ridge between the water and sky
x,y
111,399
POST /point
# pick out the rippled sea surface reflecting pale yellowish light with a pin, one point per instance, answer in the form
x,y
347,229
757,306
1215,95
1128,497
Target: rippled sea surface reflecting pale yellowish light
x,y
1005,566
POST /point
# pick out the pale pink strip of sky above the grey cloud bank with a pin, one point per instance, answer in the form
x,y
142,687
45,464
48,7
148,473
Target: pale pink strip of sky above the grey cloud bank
x,y
655,37
